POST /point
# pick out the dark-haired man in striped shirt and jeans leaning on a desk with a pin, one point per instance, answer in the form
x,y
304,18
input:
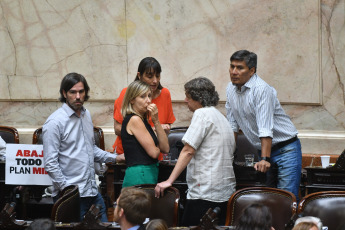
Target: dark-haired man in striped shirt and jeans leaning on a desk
x,y
252,106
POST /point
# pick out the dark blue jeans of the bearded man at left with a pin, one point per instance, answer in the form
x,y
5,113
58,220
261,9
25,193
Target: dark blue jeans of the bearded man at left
x,y
87,202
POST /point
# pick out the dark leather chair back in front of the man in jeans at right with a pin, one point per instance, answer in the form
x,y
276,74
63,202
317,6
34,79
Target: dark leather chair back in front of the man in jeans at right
x,y
281,203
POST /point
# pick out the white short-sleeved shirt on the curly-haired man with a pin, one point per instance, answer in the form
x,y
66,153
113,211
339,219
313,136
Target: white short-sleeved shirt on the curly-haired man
x,y
210,174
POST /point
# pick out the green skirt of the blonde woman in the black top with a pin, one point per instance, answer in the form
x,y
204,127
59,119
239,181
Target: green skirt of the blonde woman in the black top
x,y
141,174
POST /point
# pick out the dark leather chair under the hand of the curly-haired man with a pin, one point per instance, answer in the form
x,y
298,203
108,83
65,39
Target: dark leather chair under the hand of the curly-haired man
x,y
165,207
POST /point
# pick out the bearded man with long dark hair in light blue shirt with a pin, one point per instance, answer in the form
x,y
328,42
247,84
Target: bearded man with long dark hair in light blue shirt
x,y
69,145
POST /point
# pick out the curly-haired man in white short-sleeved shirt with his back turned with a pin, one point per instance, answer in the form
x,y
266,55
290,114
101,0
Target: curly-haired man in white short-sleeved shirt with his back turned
x,y
208,150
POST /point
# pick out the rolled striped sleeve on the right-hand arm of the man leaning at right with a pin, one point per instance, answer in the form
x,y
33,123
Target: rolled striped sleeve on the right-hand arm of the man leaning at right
x,y
264,109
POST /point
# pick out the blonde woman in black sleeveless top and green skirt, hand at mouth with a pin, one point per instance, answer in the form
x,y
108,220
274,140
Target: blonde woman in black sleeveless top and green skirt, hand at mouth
x,y
141,144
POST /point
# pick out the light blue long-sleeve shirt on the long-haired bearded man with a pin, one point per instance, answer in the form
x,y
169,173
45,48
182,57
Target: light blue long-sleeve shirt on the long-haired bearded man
x,y
70,152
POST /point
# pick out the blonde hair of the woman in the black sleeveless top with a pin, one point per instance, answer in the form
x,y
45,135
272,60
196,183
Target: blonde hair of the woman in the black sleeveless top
x,y
135,89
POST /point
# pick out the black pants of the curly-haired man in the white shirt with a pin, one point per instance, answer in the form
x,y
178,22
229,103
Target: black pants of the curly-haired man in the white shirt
x,y
196,209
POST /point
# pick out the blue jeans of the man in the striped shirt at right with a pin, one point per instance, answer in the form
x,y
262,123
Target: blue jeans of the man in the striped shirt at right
x,y
286,166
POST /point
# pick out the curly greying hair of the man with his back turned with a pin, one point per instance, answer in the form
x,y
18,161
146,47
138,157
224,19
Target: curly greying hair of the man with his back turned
x,y
202,90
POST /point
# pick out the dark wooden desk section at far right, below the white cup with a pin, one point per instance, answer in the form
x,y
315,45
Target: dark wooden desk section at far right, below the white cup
x,y
323,179
